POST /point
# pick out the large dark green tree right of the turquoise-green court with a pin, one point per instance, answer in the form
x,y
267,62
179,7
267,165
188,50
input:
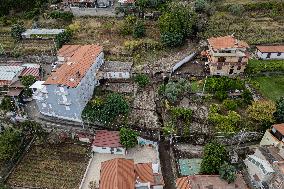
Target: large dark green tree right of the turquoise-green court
x,y
214,155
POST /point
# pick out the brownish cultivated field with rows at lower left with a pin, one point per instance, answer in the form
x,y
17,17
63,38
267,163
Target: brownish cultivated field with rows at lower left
x,y
58,166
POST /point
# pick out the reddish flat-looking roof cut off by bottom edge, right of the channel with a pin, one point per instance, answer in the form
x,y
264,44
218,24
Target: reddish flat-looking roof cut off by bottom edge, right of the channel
x,y
209,181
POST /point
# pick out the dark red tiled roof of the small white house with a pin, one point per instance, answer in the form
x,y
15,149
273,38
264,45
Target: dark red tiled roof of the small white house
x,y
107,139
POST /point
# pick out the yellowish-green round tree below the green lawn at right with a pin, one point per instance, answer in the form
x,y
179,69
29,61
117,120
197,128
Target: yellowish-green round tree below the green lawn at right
x,y
262,112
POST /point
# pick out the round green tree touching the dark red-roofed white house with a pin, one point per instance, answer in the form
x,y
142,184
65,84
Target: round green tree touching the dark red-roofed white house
x,y
128,137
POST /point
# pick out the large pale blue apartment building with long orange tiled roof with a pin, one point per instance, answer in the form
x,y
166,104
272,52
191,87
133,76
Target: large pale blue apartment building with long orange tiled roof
x,y
66,92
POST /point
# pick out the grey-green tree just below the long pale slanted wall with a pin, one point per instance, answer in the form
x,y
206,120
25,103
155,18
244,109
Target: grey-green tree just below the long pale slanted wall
x,y
173,90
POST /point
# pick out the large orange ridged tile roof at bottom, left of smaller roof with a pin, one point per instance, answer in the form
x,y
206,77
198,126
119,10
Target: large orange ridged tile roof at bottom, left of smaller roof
x,y
117,174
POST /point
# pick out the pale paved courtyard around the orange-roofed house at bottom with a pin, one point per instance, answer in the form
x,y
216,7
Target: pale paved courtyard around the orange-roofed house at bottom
x,y
138,154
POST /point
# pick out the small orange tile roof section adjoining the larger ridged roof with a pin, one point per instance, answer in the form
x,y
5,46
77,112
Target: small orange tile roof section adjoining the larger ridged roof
x,y
144,173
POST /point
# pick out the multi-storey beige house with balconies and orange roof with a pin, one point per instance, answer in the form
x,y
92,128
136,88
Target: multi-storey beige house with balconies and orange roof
x,y
226,56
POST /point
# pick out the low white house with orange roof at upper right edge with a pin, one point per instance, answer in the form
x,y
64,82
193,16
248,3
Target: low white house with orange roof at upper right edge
x,y
270,52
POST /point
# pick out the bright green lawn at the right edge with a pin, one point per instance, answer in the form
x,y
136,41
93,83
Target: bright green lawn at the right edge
x,y
271,87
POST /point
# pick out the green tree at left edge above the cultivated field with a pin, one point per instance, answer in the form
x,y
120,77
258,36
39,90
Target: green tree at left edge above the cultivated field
x,y
10,140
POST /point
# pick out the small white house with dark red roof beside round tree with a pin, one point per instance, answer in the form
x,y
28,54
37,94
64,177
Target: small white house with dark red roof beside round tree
x,y
108,142
